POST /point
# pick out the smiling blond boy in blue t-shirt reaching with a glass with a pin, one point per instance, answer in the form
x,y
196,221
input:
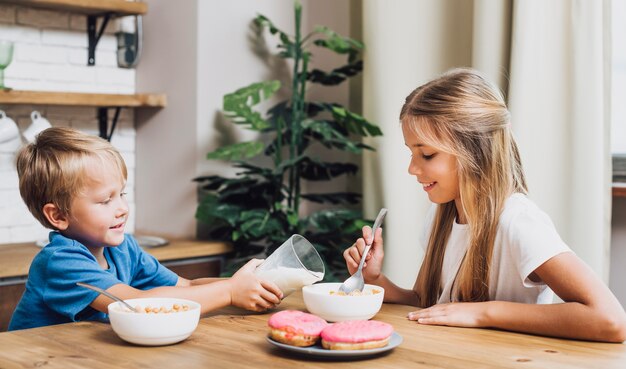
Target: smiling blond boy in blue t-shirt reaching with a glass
x,y
74,184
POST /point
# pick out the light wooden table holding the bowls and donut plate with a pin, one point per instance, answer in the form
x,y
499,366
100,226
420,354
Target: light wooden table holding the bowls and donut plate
x,y
233,338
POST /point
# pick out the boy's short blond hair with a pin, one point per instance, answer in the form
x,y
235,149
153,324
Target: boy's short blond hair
x,y
51,169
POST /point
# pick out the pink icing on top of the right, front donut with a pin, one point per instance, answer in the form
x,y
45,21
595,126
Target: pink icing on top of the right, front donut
x,y
355,331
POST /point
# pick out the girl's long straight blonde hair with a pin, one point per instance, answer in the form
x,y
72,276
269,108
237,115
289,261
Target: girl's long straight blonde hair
x,y
462,114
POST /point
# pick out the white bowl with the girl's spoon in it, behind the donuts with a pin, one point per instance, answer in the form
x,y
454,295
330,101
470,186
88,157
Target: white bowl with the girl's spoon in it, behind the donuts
x,y
322,300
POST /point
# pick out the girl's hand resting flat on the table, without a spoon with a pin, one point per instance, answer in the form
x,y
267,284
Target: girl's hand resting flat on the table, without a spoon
x,y
457,314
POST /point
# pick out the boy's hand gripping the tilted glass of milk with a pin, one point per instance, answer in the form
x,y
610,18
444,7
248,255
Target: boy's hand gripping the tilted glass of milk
x,y
249,292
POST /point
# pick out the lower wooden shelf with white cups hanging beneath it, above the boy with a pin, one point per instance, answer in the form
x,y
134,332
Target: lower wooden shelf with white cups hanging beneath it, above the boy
x,y
14,97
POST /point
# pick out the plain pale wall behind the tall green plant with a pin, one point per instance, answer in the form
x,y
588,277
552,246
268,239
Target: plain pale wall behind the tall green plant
x,y
195,66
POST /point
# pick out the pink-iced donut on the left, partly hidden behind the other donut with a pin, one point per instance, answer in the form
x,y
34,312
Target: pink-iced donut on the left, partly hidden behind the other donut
x,y
296,328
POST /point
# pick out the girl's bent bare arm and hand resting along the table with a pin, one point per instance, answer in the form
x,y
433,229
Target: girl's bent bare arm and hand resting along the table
x,y
589,311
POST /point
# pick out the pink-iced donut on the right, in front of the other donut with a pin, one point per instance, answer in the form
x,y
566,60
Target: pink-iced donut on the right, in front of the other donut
x,y
356,335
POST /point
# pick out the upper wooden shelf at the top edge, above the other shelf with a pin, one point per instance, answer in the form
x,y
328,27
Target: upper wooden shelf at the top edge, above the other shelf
x,y
89,7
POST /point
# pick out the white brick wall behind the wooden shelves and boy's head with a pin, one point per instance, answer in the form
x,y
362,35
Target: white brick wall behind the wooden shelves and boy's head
x,y
50,54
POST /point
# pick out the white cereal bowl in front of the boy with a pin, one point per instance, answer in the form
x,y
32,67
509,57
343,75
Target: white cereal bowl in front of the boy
x,y
154,329
